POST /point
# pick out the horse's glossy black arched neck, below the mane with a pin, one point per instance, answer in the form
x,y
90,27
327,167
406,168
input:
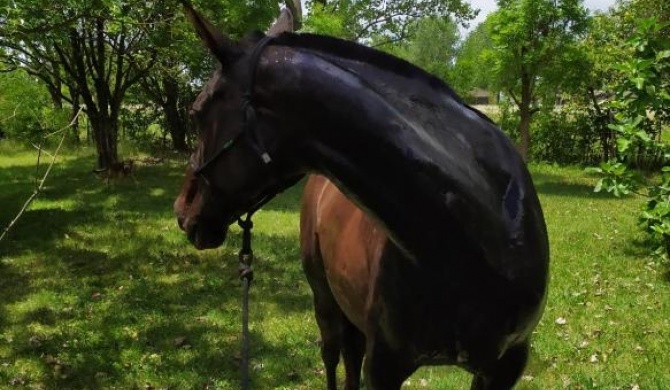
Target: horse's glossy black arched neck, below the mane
x,y
441,178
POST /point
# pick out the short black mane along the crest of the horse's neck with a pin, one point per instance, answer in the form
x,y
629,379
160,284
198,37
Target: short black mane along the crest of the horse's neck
x,y
355,52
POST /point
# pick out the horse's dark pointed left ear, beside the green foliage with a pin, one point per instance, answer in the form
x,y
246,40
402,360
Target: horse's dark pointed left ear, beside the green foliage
x,y
222,47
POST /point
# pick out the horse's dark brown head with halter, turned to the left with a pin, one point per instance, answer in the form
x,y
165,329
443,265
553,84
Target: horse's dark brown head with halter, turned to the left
x,y
236,164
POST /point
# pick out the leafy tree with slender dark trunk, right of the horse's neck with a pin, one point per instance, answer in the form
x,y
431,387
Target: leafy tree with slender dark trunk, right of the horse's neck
x,y
535,48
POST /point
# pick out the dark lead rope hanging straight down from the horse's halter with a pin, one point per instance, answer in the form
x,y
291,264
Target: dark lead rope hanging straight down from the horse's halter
x,y
246,272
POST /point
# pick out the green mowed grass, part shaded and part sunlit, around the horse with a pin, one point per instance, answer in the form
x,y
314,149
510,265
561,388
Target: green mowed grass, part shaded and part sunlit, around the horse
x,y
101,290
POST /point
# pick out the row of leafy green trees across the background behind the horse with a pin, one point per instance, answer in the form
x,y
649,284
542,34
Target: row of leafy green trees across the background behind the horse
x,y
549,65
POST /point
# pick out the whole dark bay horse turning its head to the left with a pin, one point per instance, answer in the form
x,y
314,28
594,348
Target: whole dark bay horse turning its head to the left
x,y
456,270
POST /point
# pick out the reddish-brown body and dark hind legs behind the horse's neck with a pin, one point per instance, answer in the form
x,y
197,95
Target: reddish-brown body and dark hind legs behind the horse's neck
x,y
341,247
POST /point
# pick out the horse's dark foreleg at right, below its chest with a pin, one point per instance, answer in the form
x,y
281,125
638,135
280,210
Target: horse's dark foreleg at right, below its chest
x,y
504,374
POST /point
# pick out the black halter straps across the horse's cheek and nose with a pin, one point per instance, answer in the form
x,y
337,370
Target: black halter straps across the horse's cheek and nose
x,y
250,121
